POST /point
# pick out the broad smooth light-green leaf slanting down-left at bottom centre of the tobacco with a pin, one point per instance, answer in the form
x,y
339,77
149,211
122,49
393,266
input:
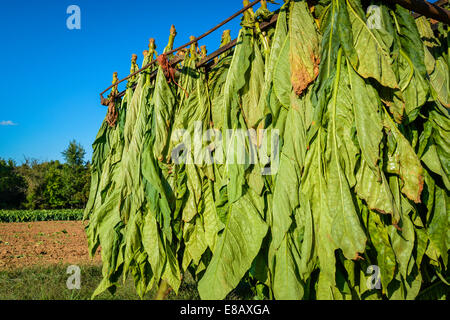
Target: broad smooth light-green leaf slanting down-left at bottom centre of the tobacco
x,y
237,246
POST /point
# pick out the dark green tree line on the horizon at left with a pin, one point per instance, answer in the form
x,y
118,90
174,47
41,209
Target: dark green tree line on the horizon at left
x,y
46,185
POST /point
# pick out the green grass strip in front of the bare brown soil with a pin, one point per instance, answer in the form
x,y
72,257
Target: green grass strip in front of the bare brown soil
x,y
49,283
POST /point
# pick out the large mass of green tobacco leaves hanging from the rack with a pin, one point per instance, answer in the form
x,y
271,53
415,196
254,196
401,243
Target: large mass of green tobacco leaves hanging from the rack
x,y
311,161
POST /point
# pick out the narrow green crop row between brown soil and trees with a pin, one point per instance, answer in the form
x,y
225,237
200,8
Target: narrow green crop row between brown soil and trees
x,y
40,215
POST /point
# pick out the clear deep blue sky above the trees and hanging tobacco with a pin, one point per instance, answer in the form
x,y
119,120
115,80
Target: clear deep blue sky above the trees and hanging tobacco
x,y
51,76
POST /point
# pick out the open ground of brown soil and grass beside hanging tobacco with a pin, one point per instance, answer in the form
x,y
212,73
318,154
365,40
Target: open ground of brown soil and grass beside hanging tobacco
x,y
34,257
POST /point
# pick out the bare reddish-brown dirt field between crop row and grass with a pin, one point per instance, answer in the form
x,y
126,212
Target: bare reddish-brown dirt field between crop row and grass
x,y
43,243
